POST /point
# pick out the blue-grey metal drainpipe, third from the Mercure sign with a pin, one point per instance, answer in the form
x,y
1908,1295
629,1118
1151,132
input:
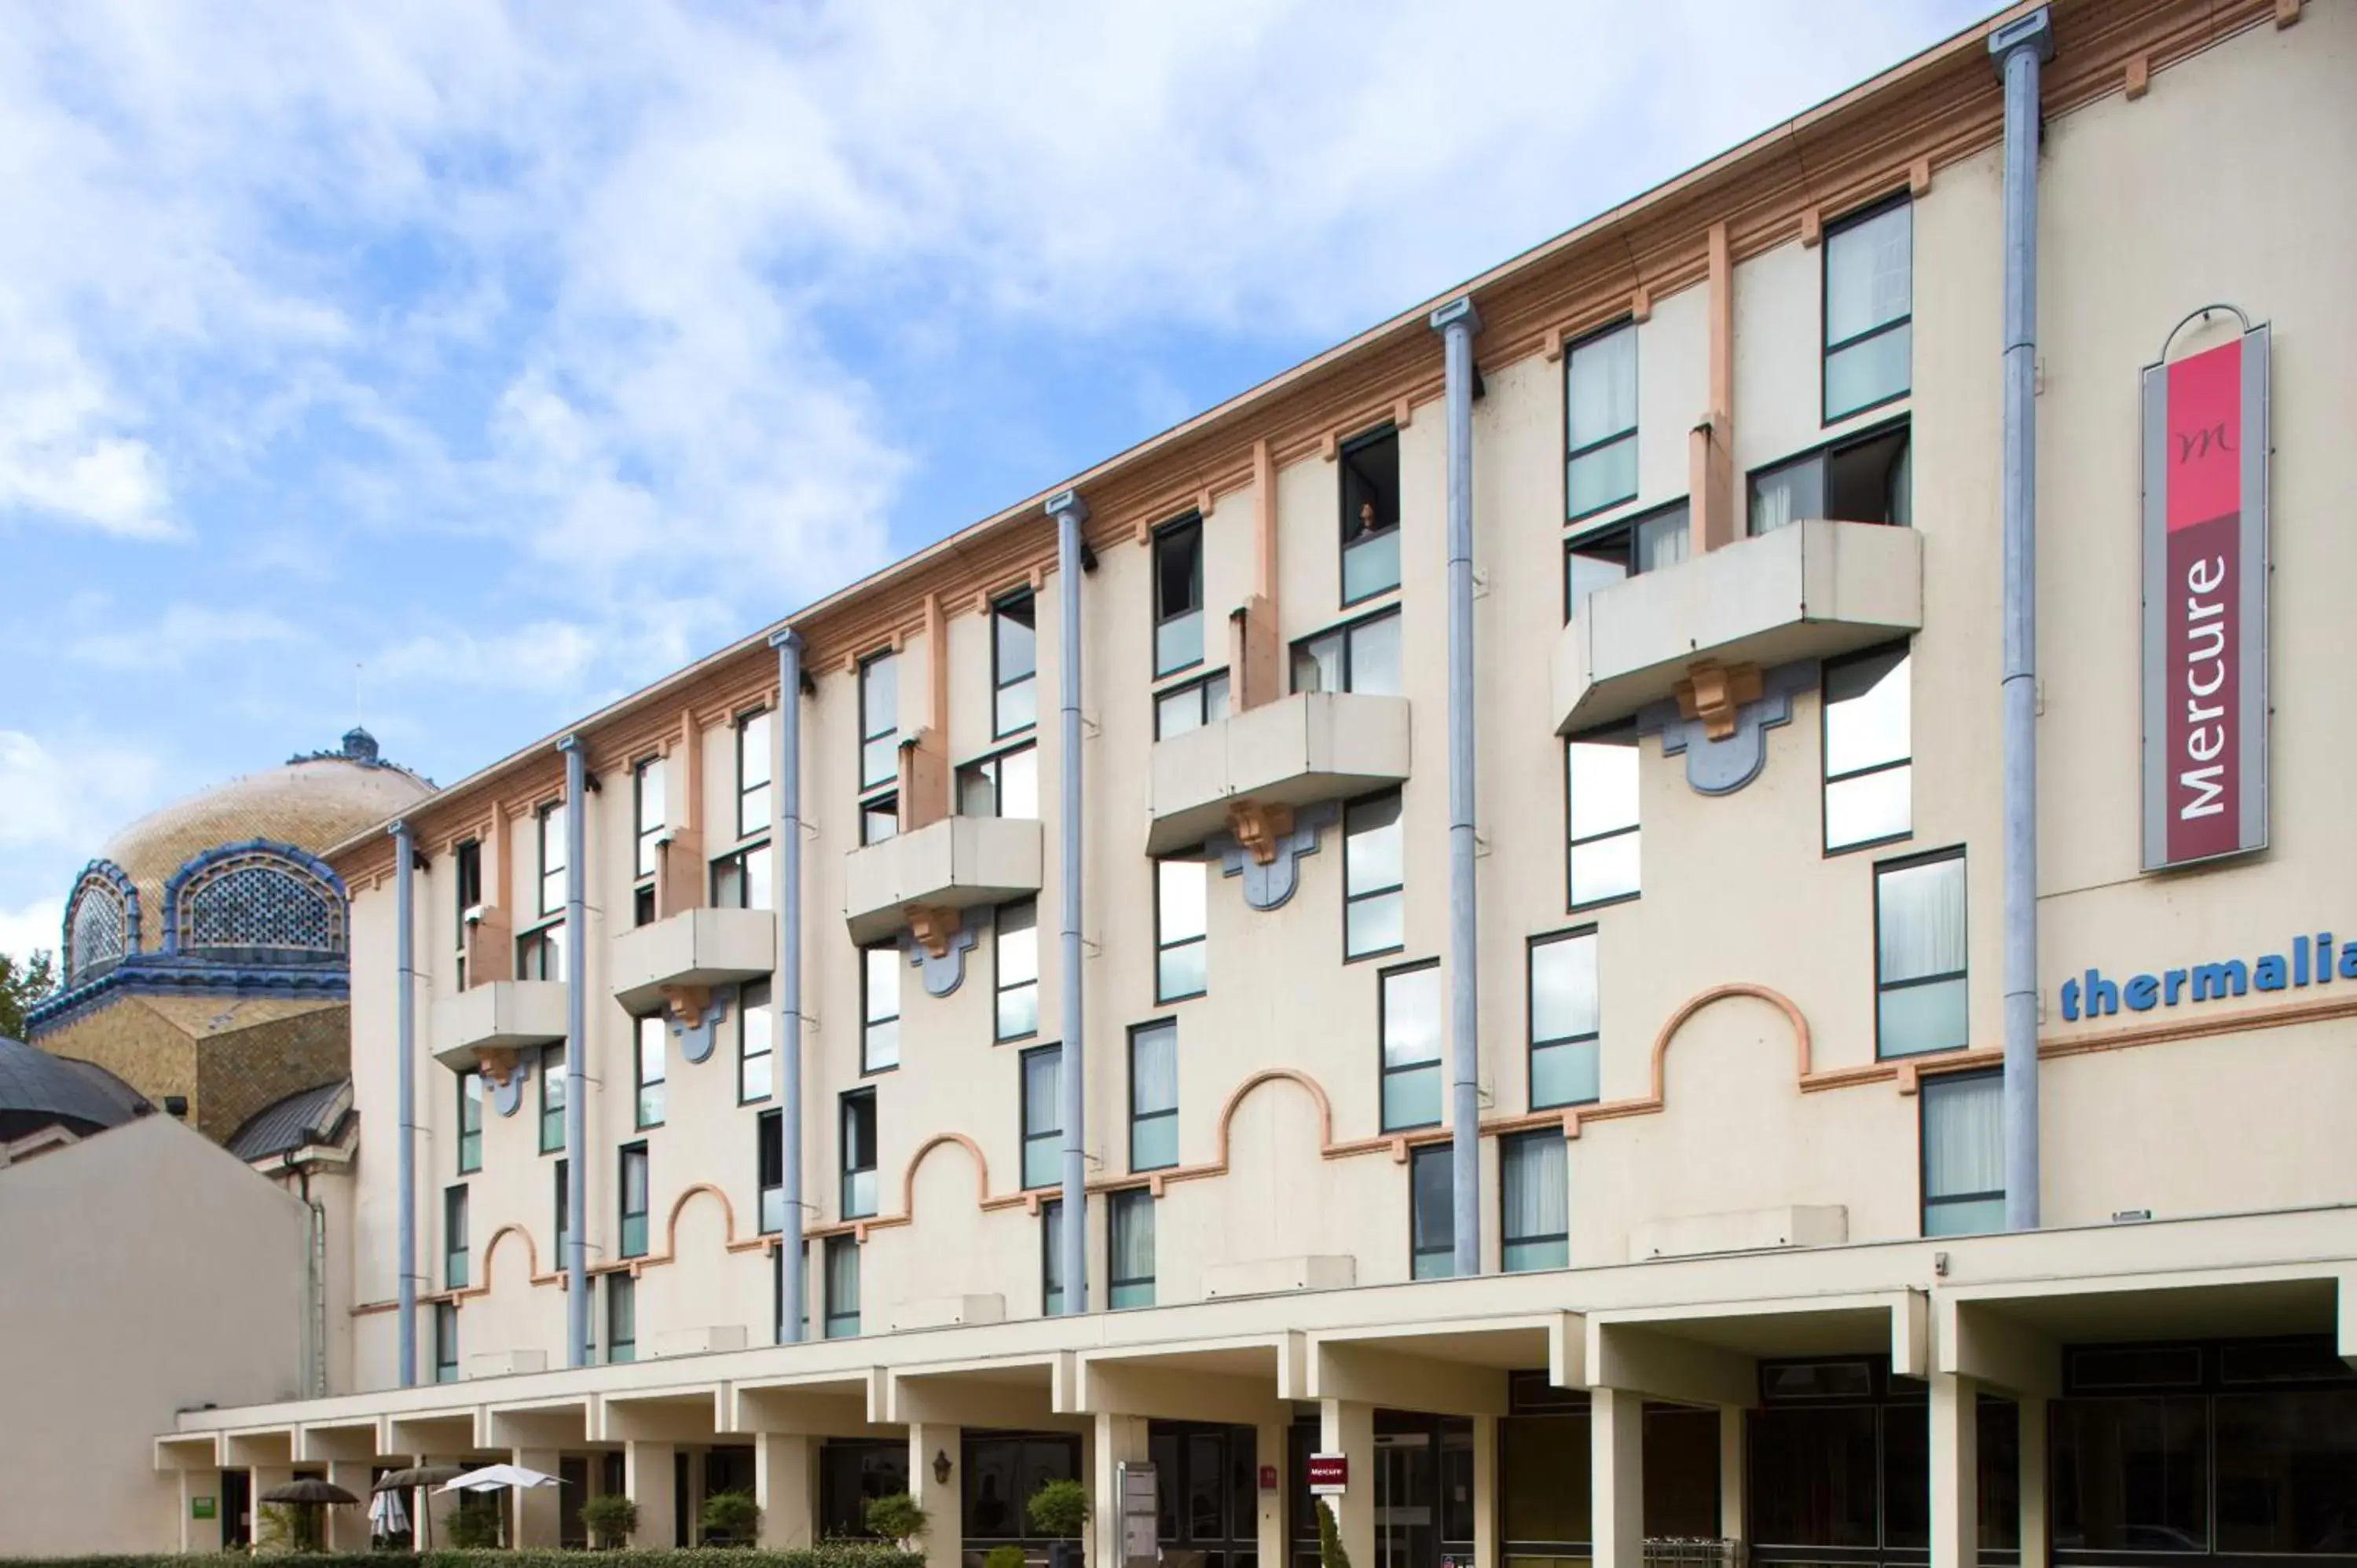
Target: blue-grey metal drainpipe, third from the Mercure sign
x,y
1071,513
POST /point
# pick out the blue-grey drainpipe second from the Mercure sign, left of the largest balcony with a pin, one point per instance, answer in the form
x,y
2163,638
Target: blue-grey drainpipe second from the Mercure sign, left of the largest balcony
x,y
1458,322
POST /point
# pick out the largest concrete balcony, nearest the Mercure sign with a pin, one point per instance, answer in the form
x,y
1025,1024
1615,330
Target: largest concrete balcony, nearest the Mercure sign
x,y
1809,591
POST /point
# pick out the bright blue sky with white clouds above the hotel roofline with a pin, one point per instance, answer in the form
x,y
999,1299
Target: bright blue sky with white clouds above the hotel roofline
x,y
461,367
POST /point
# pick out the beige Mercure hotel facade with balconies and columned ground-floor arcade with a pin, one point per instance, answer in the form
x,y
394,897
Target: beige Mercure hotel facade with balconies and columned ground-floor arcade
x,y
1745,1258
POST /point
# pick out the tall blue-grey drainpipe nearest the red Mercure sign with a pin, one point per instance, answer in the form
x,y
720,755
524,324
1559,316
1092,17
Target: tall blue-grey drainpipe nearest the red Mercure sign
x,y
2019,48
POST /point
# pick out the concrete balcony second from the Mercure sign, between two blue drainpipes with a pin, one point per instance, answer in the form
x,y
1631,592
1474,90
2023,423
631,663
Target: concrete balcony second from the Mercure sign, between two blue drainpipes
x,y
1290,753
